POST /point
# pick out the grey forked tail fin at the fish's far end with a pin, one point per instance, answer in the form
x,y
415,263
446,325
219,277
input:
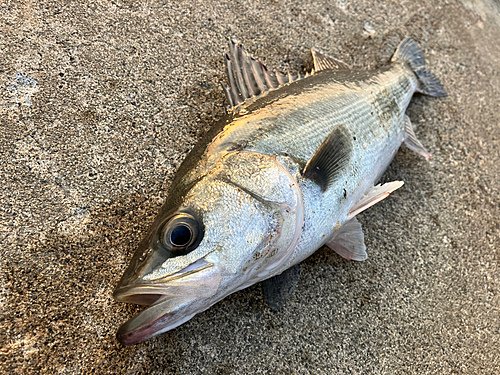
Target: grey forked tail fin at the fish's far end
x,y
409,52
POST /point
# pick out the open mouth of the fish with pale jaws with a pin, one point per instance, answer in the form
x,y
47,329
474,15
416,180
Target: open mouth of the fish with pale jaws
x,y
172,301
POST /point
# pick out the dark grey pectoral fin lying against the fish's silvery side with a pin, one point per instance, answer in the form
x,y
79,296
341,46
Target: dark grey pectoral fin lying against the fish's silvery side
x,y
329,158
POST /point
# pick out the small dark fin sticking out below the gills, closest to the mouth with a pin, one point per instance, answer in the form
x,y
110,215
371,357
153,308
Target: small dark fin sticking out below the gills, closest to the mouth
x,y
279,288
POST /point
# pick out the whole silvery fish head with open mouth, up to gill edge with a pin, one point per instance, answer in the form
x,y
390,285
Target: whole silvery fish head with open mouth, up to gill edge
x,y
235,226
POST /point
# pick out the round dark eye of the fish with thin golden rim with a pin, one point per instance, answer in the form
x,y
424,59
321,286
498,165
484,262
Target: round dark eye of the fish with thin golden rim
x,y
180,233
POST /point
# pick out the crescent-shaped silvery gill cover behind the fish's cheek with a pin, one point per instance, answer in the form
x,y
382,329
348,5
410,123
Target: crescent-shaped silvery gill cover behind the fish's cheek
x,y
270,183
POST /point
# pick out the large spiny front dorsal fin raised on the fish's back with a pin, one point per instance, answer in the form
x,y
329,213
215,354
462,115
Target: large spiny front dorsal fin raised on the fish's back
x,y
249,77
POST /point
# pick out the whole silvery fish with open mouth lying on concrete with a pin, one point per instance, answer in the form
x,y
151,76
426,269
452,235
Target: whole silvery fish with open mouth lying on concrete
x,y
282,174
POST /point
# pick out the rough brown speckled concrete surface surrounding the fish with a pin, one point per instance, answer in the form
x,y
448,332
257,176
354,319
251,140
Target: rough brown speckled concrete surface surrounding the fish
x,y
101,100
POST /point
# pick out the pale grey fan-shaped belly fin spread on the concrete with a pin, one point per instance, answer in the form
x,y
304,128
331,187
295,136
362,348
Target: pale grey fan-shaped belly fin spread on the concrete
x,y
349,241
